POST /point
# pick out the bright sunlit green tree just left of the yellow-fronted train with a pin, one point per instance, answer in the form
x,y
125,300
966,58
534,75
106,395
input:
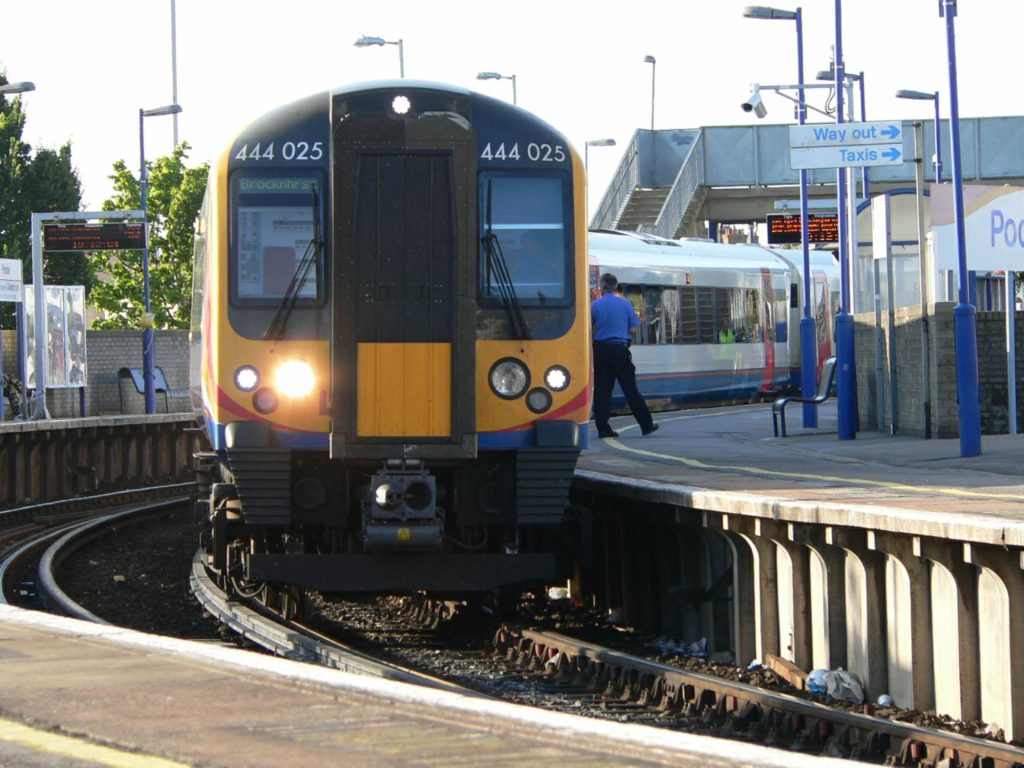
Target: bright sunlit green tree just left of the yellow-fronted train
x,y
174,198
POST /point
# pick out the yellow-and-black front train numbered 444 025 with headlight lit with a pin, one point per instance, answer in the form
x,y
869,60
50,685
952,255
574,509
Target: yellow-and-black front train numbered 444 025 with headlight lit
x,y
391,345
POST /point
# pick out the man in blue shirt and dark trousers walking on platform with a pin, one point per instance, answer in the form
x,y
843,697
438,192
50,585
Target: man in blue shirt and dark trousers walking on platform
x,y
614,317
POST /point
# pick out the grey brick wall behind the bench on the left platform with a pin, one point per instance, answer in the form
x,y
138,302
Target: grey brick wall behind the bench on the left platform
x,y
108,353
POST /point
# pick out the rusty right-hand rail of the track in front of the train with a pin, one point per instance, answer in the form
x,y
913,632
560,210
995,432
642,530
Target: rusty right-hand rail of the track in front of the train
x,y
742,711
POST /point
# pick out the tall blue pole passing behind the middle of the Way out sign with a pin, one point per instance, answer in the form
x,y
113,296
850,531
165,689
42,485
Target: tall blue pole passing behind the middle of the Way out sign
x,y
847,376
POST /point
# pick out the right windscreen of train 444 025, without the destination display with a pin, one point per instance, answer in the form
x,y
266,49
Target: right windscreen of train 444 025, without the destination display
x,y
525,220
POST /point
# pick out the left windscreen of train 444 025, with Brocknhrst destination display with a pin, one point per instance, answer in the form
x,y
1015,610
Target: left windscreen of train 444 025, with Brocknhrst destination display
x,y
278,222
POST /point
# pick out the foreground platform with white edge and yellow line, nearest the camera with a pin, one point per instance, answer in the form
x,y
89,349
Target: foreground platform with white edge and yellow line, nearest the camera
x,y
161,703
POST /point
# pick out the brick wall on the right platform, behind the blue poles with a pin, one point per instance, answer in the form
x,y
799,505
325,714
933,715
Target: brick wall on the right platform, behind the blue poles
x,y
872,344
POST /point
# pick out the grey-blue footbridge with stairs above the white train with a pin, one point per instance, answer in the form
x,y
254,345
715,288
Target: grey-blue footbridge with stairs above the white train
x,y
676,183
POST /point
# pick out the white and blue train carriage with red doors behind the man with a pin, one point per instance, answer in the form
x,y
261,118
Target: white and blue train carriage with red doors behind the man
x,y
719,323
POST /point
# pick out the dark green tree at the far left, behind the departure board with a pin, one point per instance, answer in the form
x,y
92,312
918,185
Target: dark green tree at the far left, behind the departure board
x,y
34,184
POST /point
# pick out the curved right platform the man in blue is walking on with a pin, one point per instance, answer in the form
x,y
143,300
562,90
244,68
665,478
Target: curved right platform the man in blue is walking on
x,y
729,460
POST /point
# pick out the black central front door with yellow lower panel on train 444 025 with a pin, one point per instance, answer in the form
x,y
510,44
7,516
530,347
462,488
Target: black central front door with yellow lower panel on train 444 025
x,y
405,272
